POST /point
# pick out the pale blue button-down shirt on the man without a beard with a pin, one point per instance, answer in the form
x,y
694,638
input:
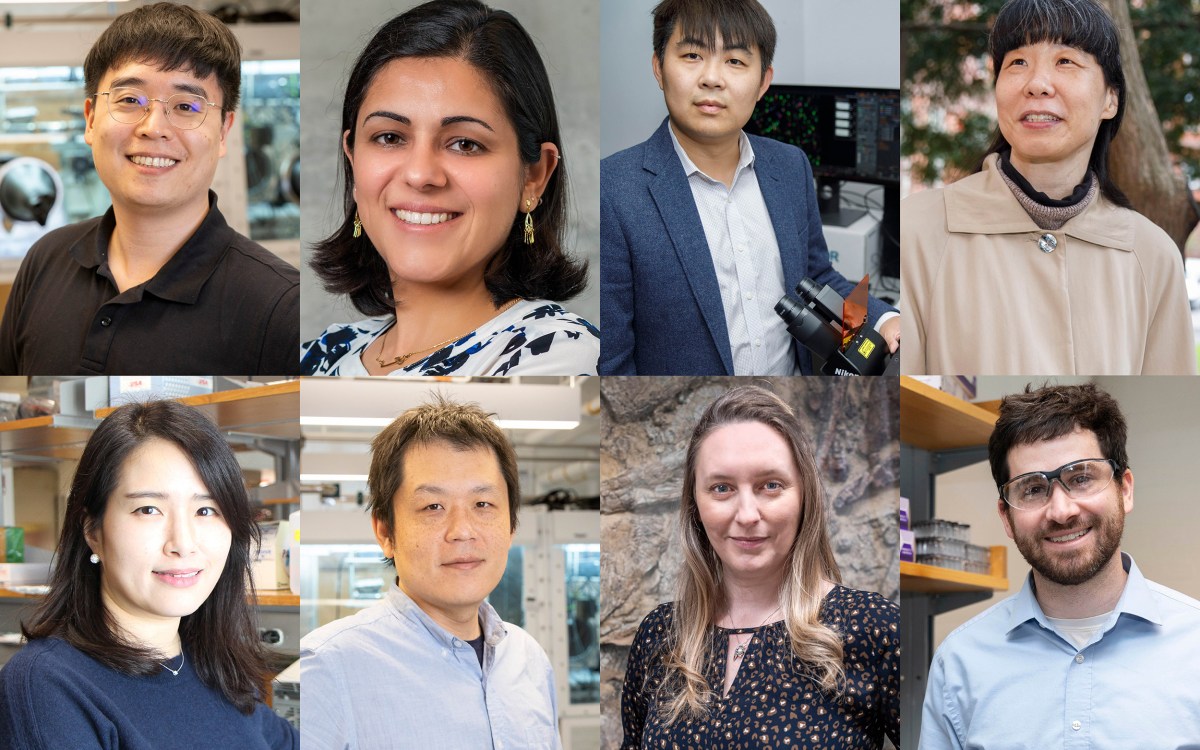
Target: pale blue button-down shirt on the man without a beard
x,y
391,679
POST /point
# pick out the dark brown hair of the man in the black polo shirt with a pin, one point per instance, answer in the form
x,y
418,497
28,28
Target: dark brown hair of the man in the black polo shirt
x,y
176,38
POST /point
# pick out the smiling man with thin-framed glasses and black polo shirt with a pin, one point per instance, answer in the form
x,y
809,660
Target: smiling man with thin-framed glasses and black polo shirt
x,y
160,284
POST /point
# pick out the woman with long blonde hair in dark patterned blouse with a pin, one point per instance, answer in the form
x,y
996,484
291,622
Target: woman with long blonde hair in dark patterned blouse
x,y
764,647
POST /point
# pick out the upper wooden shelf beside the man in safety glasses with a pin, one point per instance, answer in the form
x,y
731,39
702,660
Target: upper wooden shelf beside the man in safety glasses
x,y
935,421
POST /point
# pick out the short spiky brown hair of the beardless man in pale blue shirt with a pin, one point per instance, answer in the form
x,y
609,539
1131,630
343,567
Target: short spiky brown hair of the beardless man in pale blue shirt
x,y
463,427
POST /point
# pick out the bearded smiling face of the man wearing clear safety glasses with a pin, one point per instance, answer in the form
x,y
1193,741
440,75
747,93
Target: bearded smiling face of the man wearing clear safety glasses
x,y
1069,541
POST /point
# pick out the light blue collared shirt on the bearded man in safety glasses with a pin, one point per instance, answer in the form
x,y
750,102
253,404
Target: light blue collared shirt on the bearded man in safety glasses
x,y
1009,681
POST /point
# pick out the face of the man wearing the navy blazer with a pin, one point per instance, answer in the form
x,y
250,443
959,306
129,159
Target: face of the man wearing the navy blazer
x,y
710,94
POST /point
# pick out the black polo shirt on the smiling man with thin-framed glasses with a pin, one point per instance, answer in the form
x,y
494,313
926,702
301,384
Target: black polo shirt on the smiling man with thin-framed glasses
x,y
223,305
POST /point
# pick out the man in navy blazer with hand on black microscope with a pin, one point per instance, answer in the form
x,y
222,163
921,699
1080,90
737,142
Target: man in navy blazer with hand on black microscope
x,y
703,227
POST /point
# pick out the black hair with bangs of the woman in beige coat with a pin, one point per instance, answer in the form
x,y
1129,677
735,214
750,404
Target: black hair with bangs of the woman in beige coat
x,y
1083,25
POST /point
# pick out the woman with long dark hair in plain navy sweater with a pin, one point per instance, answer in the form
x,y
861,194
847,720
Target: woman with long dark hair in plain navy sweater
x,y
146,639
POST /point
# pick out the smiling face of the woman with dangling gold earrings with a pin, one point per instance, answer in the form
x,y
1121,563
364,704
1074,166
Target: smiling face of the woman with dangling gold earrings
x,y
439,178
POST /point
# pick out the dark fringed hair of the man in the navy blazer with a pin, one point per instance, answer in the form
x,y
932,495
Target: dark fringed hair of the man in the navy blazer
x,y
741,23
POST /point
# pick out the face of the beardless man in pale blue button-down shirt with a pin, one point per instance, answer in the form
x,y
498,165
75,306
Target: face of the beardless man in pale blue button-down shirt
x,y
452,532
